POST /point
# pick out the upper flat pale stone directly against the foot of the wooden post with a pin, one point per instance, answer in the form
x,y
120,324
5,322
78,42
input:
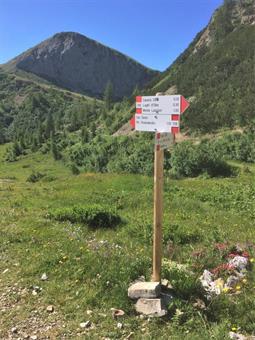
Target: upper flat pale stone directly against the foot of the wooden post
x,y
144,290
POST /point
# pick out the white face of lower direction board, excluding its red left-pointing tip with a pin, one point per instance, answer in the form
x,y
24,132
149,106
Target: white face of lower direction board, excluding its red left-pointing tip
x,y
154,123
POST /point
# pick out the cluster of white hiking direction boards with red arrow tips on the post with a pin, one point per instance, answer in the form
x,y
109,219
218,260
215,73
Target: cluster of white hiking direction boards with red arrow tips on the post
x,y
159,113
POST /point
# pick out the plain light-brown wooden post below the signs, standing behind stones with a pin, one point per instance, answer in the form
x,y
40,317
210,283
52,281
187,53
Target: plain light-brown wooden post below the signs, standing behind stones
x,y
158,213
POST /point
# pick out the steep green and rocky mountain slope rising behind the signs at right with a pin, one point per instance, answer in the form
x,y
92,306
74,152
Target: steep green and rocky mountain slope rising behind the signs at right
x,y
216,72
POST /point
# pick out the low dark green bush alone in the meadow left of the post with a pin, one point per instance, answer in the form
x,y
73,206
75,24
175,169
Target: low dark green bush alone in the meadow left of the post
x,y
92,215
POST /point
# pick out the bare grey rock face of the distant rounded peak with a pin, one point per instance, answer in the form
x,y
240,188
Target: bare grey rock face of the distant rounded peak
x,y
77,63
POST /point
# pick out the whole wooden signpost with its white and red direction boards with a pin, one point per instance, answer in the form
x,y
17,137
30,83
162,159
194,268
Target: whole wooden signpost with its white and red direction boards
x,y
159,114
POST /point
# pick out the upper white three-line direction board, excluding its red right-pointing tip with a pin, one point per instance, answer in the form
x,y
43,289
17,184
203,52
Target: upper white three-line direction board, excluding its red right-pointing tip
x,y
160,105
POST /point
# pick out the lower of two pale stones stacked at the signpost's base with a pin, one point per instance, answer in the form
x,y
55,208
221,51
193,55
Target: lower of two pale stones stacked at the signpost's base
x,y
152,307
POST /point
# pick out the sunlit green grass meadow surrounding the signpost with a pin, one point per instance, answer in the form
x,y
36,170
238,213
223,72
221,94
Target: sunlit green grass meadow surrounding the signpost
x,y
90,269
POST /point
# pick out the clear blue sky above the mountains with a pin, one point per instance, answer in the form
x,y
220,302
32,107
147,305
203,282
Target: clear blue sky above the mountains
x,y
154,32
